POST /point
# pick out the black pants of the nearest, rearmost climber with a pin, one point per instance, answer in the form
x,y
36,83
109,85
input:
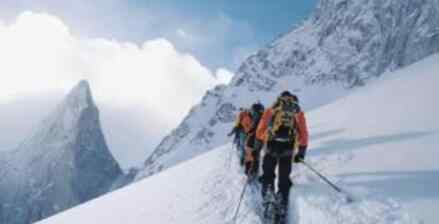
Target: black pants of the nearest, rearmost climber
x,y
279,154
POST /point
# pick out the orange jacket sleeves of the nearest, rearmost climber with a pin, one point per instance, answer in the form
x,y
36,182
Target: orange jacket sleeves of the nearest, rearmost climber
x,y
302,129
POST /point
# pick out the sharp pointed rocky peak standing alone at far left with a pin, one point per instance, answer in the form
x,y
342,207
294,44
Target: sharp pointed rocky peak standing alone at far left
x,y
63,163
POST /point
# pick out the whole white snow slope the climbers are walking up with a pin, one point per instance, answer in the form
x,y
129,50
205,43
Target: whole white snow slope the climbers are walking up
x,y
379,143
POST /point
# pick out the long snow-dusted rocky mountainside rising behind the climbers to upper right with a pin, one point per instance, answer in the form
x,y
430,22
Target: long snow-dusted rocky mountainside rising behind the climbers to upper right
x,y
343,45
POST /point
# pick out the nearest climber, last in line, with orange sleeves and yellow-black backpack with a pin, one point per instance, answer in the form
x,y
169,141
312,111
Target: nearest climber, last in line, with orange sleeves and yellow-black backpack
x,y
279,127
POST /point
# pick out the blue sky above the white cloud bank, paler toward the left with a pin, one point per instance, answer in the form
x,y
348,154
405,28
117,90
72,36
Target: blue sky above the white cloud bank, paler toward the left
x,y
219,33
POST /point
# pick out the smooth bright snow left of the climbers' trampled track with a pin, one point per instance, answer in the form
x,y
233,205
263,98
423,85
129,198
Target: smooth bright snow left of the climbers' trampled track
x,y
200,191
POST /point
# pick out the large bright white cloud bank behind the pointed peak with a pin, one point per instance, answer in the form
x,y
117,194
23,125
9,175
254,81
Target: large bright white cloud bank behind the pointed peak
x,y
39,53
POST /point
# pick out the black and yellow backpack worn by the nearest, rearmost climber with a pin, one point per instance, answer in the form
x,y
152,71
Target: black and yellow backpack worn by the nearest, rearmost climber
x,y
283,123
